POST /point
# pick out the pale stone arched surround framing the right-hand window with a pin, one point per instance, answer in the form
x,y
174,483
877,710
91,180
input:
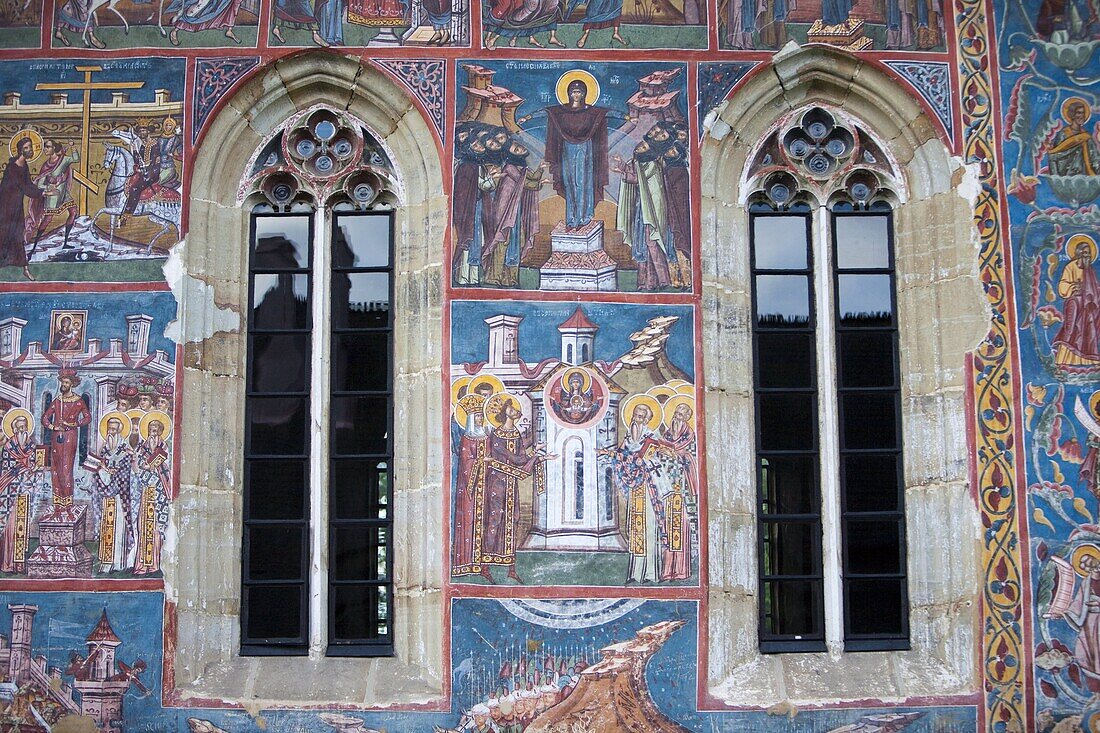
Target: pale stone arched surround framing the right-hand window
x,y
938,285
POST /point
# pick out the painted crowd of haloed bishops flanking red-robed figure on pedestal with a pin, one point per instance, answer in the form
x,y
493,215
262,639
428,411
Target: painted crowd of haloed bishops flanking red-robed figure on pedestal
x,y
125,474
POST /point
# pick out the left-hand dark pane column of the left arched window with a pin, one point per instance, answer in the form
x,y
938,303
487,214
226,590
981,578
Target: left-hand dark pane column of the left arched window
x,y
274,618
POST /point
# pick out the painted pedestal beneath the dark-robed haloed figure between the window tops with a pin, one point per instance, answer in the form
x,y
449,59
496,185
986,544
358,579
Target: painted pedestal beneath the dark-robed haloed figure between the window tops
x,y
578,260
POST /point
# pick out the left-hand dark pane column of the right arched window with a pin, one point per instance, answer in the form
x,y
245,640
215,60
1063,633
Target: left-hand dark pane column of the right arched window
x,y
789,507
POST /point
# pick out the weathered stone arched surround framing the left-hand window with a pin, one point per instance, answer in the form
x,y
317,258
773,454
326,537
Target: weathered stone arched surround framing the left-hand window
x,y
203,579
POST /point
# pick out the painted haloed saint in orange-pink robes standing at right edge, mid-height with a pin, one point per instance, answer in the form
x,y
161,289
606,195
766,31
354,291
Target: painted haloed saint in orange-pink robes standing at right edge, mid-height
x,y
1077,344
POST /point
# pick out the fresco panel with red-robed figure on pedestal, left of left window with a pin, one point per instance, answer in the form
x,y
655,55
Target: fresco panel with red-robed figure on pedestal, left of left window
x,y
87,395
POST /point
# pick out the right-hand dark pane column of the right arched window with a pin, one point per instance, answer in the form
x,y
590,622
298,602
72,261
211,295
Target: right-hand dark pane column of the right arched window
x,y
874,573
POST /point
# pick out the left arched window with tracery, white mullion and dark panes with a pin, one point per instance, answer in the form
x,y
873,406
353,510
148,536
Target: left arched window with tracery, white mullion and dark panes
x,y
318,455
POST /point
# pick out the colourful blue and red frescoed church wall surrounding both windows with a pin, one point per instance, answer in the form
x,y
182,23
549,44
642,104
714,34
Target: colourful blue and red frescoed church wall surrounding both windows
x,y
574,331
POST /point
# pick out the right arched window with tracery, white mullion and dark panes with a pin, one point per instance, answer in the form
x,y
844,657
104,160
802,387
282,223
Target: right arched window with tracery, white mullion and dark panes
x,y
828,390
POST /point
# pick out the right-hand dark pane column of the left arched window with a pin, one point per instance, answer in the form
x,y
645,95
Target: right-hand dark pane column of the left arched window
x,y
360,521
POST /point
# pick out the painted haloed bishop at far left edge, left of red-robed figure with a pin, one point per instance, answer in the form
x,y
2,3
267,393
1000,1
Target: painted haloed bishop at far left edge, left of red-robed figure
x,y
18,473
